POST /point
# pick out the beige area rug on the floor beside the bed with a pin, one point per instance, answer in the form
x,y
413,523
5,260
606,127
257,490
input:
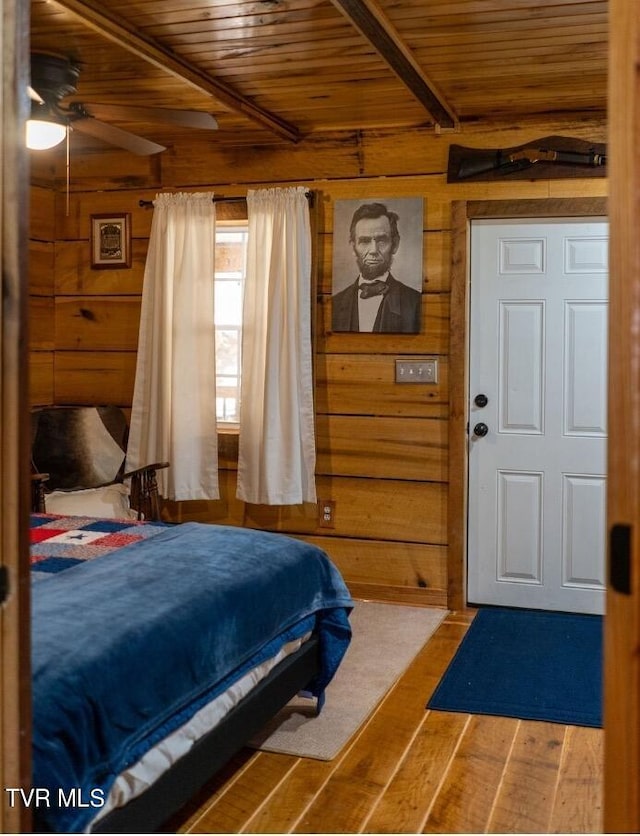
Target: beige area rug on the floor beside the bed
x,y
386,639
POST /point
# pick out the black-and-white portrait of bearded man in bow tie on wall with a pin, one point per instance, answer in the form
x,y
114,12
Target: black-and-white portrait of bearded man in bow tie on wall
x,y
377,265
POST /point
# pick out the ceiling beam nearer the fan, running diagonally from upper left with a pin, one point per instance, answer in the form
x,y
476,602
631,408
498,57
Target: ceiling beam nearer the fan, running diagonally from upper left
x,y
93,15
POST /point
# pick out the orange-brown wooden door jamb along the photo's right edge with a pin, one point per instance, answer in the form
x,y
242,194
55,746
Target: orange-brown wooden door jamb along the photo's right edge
x,y
622,624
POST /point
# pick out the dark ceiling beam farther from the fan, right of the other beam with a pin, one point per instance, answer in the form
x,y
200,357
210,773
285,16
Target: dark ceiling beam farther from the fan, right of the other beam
x,y
371,21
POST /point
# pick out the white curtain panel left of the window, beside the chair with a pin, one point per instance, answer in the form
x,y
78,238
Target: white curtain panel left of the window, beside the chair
x,y
174,404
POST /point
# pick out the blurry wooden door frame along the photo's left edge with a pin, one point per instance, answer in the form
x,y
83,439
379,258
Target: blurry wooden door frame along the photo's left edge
x,y
15,669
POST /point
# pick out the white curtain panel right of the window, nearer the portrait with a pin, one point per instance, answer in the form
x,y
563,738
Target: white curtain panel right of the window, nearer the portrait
x,y
276,460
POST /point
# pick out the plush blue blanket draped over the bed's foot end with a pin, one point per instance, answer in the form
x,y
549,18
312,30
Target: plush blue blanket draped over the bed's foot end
x,y
128,646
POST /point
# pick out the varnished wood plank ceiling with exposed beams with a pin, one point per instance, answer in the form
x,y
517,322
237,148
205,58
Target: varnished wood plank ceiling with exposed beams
x,y
281,70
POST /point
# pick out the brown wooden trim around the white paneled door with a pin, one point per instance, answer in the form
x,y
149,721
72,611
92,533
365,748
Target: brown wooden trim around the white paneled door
x,y
462,213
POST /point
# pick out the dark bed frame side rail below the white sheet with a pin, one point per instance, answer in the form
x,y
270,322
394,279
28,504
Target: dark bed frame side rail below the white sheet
x,y
182,781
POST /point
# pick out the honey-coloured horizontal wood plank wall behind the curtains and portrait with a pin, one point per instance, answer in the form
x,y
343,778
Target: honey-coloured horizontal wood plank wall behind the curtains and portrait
x,y
382,447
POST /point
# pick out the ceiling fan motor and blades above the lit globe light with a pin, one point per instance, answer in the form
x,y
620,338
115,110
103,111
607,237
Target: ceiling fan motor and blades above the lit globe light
x,y
54,77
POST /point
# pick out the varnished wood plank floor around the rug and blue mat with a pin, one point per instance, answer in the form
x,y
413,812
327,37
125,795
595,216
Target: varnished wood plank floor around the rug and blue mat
x,y
409,770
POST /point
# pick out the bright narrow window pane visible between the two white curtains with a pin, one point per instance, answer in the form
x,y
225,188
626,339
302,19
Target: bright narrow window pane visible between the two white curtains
x,y
230,270
